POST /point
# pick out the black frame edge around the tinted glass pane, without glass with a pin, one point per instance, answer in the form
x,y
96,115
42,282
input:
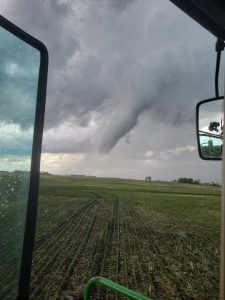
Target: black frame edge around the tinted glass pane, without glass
x,y
31,213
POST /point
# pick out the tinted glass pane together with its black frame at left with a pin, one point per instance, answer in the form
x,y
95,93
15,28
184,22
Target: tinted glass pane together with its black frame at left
x,y
23,79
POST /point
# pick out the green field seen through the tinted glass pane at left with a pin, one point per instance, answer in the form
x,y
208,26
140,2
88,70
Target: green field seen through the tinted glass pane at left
x,y
13,203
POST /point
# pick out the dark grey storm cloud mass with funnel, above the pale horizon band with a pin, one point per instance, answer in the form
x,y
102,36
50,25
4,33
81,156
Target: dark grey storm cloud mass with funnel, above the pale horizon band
x,y
120,59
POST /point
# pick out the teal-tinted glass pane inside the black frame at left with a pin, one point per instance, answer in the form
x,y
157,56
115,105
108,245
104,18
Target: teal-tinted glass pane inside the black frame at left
x,y
19,71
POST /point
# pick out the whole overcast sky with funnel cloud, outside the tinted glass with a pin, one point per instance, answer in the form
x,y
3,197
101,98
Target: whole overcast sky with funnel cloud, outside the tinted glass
x,y
124,80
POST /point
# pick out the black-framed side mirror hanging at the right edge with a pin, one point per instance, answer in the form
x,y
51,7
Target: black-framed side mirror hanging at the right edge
x,y
209,126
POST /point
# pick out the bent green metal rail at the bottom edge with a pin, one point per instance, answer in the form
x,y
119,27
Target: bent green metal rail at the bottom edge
x,y
112,286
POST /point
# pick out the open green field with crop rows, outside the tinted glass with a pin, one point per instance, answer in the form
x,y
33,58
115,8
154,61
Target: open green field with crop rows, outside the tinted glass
x,y
161,239
